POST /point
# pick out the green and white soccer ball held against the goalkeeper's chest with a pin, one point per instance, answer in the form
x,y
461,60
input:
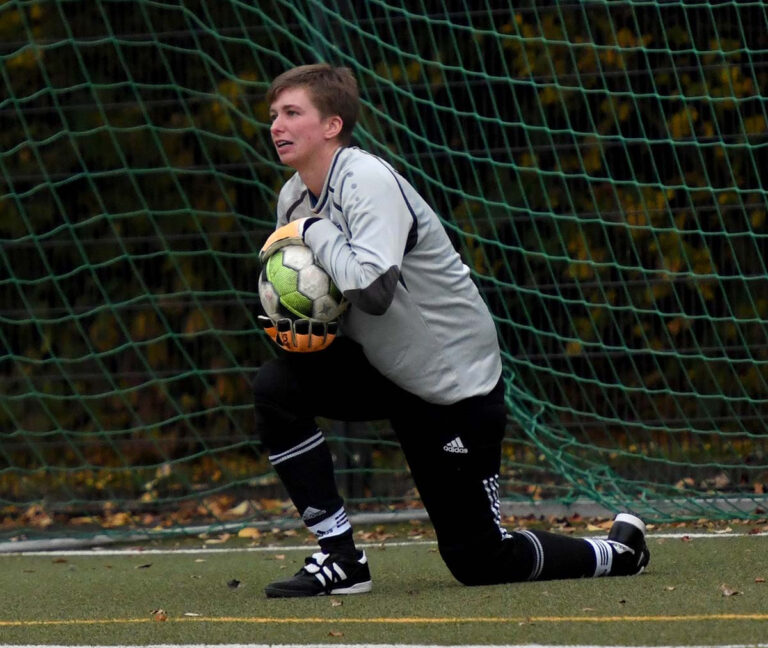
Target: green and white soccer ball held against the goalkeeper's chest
x,y
292,285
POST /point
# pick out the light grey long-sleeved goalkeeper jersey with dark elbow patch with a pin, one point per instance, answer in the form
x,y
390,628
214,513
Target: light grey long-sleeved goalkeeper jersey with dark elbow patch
x,y
413,305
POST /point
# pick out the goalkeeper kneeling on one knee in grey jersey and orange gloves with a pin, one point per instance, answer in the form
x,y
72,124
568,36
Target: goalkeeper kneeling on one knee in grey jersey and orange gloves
x,y
417,346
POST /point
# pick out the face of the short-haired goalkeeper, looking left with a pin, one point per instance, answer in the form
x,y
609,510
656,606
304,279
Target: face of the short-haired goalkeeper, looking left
x,y
298,131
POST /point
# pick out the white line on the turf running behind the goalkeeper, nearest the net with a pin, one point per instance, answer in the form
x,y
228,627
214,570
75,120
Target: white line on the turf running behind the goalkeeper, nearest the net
x,y
136,550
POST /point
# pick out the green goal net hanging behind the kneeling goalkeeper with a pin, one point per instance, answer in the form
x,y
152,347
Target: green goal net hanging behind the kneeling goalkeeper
x,y
600,166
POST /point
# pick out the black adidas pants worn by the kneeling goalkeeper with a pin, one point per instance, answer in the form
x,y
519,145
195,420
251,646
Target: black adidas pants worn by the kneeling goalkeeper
x,y
453,451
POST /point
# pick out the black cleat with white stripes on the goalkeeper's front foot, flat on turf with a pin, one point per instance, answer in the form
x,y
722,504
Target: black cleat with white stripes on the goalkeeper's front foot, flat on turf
x,y
324,574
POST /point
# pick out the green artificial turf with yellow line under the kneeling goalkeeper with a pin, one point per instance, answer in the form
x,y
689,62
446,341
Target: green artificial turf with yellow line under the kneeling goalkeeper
x,y
110,599
